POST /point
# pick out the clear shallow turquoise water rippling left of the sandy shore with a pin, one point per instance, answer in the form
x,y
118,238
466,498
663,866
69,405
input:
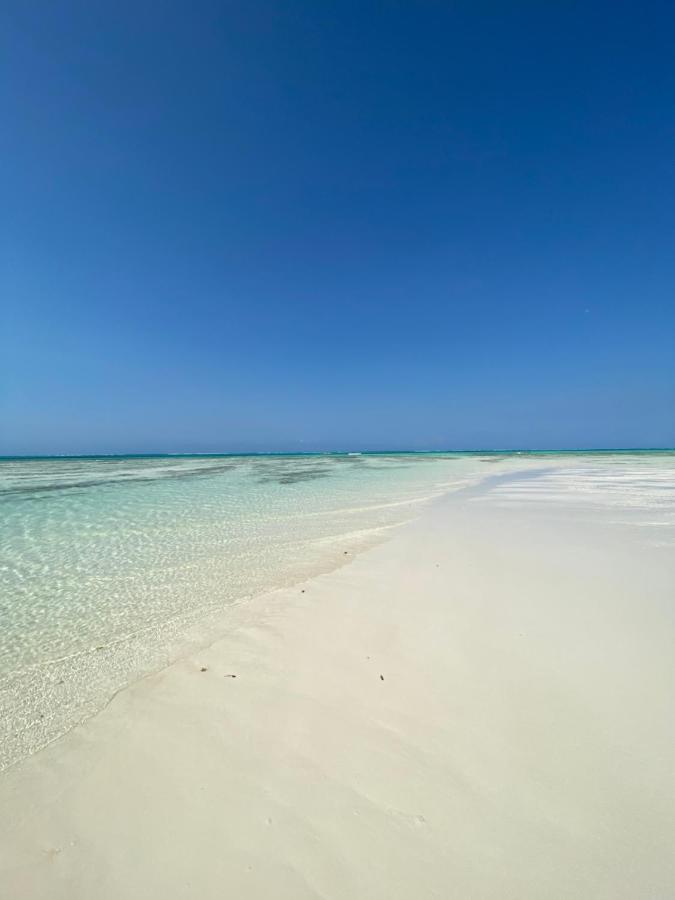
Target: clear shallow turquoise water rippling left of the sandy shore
x,y
112,567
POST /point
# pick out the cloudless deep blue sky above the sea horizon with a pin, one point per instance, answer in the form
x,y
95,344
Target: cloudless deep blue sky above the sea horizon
x,y
288,226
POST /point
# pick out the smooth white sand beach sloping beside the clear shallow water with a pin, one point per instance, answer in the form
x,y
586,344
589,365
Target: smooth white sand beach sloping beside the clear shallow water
x,y
481,707
